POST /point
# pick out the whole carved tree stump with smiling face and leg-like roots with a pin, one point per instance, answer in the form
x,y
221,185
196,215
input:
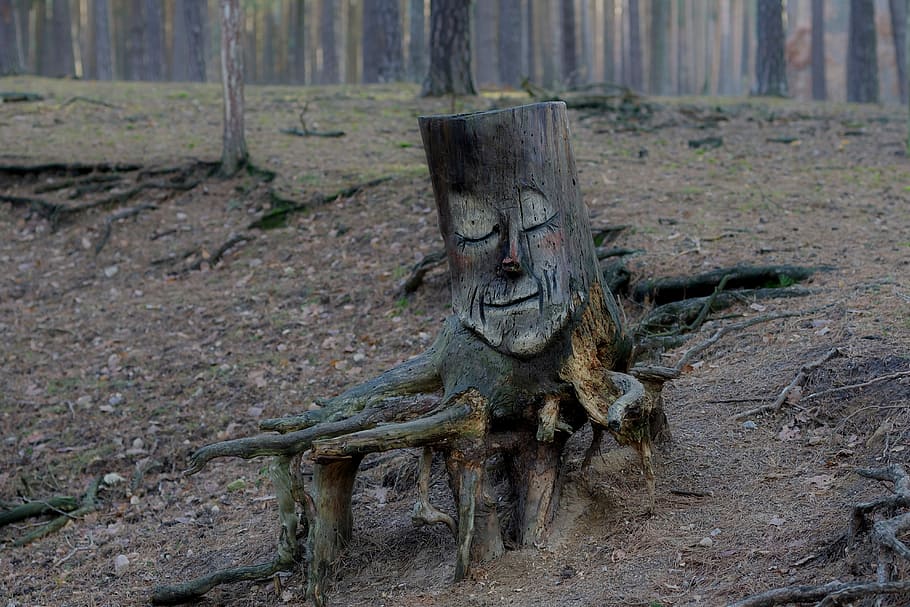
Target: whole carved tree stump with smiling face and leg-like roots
x,y
533,351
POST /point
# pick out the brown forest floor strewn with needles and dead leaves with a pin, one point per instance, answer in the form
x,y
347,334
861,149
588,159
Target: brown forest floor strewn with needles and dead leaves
x,y
131,336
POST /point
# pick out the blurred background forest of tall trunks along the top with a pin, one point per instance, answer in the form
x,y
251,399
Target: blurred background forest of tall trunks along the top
x,y
660,47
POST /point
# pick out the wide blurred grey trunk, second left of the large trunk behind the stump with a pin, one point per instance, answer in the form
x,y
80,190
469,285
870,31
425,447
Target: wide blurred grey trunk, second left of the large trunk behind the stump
x,y
382,54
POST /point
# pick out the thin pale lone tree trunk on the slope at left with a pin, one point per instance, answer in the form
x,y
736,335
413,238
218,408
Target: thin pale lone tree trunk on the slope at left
x,y
233,153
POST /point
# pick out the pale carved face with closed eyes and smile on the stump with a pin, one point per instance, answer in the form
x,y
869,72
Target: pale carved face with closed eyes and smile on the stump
x,y
509,281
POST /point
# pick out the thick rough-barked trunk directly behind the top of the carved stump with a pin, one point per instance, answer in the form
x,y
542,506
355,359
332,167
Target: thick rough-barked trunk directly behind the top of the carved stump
x,y
450,50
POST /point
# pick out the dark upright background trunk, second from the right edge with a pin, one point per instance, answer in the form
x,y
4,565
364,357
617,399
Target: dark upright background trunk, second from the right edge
x,y
862,62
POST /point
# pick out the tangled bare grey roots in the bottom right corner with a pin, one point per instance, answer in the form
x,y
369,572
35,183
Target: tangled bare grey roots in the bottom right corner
x,y
884,537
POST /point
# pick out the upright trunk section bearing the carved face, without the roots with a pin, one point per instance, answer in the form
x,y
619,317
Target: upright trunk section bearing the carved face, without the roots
x,y
515,227
